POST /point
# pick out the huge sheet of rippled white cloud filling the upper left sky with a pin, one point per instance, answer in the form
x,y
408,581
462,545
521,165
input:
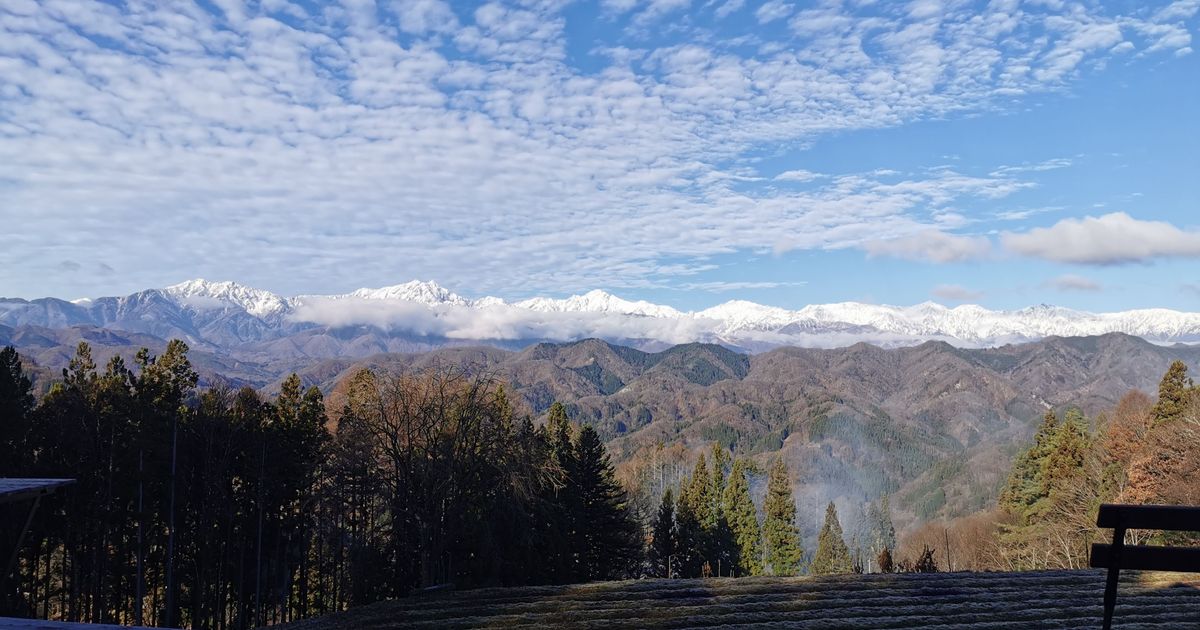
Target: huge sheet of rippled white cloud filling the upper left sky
x,y
290,147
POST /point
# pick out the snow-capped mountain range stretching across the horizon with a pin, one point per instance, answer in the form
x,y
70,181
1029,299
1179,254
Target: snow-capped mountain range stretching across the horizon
x,y
226,315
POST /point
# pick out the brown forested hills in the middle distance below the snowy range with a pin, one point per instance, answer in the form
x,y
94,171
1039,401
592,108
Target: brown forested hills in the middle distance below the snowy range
x,y
934,425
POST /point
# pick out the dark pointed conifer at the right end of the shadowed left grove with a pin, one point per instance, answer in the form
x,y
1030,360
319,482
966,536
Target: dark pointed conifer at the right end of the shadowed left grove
x,y
609,535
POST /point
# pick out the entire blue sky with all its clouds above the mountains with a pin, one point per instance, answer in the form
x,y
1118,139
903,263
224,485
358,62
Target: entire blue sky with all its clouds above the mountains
x,y
682,152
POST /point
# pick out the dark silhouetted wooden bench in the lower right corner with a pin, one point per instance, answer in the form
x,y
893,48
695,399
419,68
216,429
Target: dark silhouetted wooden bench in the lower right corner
x,y
1143,557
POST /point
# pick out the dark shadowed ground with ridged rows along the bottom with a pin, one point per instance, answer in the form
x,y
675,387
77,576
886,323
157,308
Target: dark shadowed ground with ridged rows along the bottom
x,y
982,602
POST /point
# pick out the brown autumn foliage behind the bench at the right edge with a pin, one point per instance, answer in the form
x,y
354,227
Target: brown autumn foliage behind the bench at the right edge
x,y
1139,457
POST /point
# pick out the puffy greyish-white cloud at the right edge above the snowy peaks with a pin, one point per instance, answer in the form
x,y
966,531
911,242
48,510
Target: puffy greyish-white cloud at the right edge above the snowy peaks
x,y
1108,239
